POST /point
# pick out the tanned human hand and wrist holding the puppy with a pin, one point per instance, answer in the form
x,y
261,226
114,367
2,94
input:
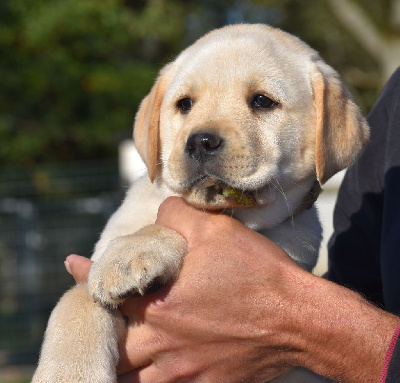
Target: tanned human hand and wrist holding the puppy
x,y
242,310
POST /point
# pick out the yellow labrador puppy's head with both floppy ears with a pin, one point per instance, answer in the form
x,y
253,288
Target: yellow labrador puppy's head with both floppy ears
x,y
248,115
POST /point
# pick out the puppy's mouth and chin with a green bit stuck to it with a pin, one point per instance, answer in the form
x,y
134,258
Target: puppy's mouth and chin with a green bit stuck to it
x,y
211,192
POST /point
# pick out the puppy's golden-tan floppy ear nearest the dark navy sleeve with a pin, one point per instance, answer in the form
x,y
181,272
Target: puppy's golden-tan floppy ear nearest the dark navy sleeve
x,y
341,129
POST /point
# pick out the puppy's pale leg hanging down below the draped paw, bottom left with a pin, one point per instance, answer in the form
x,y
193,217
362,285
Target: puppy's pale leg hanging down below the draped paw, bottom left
x,y
80,344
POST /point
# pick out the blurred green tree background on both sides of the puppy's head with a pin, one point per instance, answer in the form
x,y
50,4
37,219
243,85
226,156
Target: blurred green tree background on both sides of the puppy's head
x,y
73,72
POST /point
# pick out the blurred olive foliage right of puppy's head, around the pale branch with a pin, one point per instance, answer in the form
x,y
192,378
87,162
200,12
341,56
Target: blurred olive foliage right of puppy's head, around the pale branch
x,y
317,24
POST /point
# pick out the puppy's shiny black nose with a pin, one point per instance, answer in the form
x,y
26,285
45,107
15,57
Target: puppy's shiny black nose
x,y
201,147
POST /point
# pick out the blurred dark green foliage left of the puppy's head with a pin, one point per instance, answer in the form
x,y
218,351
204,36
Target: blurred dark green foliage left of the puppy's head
x,y
73,73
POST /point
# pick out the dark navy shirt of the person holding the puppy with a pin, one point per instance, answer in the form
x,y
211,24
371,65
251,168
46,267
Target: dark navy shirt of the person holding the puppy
x,y
364,252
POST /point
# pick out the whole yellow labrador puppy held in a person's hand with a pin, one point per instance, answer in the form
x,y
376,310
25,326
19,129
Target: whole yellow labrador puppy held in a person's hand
x,y
248,119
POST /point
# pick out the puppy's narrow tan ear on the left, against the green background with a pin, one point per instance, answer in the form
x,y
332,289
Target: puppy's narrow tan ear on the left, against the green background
x,y
146,132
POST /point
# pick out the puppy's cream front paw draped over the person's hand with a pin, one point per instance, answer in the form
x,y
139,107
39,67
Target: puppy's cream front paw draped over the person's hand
x,y
132,263
